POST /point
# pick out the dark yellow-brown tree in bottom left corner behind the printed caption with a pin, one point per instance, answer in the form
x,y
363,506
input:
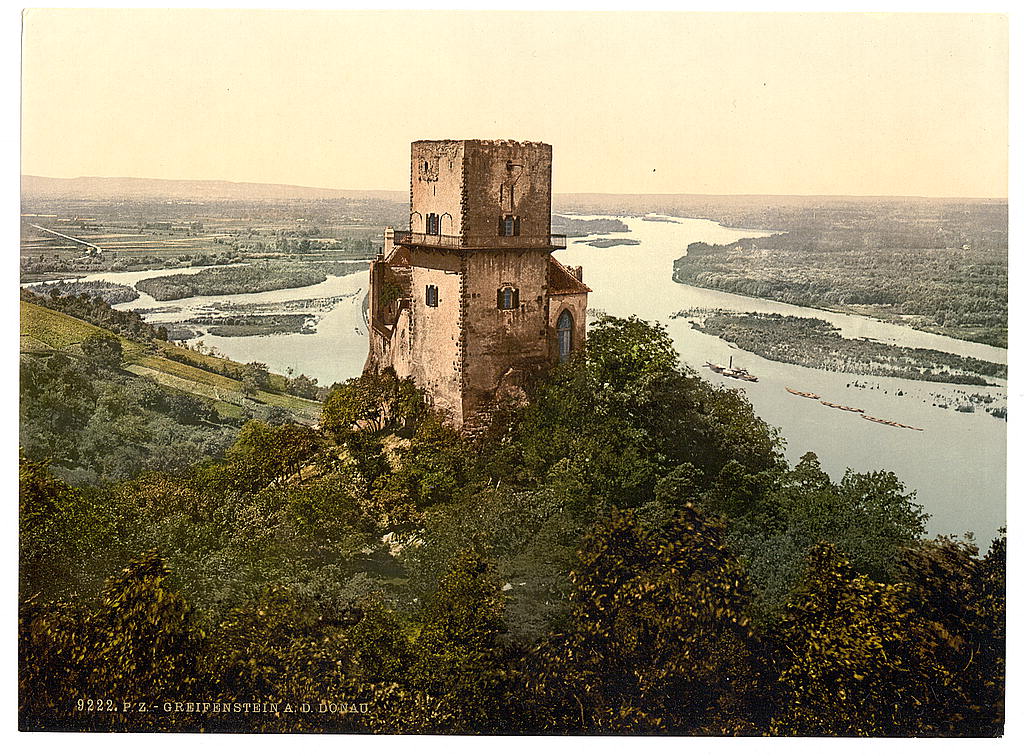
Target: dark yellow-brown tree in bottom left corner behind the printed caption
x,y
141,645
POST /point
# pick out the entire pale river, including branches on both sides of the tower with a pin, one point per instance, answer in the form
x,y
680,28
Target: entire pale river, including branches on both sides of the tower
x,y
957,466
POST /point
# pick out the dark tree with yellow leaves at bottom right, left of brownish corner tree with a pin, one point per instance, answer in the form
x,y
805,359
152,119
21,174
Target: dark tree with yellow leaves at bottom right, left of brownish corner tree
x,y
856,658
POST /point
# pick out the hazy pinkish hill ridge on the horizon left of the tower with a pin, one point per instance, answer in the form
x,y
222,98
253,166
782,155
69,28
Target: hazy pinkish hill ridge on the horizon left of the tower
x,y
105,189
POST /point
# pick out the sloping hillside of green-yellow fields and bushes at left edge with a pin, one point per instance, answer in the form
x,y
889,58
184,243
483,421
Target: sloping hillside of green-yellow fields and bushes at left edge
x,y
103,406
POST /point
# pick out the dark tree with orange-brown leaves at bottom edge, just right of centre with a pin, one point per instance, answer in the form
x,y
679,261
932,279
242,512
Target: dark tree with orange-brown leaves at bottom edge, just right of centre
x,y
658,639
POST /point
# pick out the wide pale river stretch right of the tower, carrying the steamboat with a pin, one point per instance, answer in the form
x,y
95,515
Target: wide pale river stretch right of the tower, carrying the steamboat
x,y
957,465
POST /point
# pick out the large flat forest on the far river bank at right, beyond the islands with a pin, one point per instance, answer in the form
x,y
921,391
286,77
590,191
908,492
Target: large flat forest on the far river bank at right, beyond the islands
x,y
906,275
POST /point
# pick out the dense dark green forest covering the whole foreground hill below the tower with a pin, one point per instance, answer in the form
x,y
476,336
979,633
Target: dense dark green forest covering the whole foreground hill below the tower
x,y
627,553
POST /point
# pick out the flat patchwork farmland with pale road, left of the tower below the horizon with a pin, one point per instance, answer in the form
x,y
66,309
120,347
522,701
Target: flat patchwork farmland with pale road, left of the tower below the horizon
x,y
73,237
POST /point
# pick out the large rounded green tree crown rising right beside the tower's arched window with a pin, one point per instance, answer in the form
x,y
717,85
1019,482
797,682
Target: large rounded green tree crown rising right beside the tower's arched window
x,y
627,413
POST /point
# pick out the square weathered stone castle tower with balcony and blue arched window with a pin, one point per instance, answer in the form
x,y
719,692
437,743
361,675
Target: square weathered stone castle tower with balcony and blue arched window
x,y
470,302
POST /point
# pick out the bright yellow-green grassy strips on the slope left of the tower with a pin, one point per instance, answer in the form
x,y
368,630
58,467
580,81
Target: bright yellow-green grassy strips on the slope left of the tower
x,y
48,329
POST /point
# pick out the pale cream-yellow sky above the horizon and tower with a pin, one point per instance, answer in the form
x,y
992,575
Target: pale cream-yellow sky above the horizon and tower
x,y
631,103
